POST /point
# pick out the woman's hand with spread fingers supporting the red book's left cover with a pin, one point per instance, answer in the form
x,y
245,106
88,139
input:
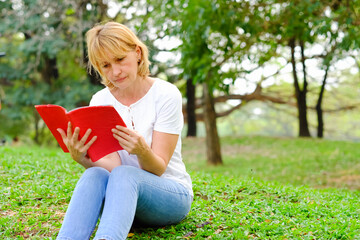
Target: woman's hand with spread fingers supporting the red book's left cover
x,y
77,148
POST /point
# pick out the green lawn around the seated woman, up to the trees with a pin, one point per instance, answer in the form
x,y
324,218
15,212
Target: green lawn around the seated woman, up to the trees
x,y
268,188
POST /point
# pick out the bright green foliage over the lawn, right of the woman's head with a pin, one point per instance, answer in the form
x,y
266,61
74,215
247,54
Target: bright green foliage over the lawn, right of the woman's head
x,y
224,42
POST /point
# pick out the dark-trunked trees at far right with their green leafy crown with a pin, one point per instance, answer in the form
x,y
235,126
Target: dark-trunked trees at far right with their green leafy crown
x,y
302,25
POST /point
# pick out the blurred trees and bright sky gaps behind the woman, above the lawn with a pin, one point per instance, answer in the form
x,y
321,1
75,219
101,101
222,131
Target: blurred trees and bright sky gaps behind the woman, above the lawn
x,y
245,67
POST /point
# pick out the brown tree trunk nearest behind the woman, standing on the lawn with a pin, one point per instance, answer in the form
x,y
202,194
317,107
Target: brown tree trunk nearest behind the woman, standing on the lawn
x,y
212,138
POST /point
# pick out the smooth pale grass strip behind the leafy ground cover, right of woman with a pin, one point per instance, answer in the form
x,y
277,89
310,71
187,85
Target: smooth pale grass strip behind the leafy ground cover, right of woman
x,y
312,162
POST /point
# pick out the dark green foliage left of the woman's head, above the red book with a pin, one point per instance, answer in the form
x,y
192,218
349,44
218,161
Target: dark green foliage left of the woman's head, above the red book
x,y
44,62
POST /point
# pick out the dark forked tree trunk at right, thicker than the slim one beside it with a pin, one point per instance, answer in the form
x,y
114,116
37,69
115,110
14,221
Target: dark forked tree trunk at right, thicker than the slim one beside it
x,y
300,94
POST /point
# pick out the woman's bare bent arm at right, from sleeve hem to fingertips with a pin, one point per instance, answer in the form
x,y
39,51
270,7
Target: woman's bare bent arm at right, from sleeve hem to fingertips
x,y
153,159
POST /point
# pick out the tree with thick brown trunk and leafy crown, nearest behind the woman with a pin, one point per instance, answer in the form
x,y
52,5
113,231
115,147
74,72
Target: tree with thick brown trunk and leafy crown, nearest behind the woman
x,y
215,36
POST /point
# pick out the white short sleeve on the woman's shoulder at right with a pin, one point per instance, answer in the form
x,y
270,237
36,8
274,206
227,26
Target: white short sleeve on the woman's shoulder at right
x,y
169,117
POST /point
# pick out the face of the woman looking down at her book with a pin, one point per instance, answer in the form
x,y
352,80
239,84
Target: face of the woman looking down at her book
x,y
121,70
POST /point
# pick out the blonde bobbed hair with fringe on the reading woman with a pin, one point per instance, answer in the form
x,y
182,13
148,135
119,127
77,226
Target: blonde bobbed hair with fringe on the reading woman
x,y
116,39
